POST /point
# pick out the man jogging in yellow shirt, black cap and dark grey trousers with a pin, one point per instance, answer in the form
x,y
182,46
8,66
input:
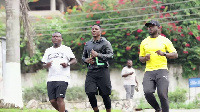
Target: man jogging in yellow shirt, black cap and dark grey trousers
x,y
154,50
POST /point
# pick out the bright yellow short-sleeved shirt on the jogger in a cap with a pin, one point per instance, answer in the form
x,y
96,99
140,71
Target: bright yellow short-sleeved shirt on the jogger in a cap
x,y
150,46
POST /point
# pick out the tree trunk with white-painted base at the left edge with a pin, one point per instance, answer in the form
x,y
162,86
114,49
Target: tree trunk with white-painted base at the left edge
x,y
12,77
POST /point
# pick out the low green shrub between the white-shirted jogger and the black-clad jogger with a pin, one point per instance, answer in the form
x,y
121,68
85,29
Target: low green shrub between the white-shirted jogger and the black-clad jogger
x,y
76,94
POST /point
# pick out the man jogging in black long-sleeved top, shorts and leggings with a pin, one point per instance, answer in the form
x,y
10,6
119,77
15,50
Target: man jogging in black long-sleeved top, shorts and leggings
x,y
96,54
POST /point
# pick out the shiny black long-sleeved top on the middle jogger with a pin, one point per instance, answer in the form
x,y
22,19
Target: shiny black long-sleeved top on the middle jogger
x,y
104,50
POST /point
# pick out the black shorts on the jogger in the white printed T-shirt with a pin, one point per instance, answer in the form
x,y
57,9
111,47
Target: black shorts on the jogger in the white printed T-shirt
x,y
56,89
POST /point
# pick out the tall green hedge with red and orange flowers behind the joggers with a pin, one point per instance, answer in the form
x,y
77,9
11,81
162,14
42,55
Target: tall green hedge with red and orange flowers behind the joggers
x,y
124,29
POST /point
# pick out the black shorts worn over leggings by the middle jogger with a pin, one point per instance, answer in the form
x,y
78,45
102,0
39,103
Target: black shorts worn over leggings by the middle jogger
x,y
98,81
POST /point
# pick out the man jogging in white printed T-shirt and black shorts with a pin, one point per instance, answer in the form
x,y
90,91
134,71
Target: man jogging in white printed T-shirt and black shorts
x,y
57,59
